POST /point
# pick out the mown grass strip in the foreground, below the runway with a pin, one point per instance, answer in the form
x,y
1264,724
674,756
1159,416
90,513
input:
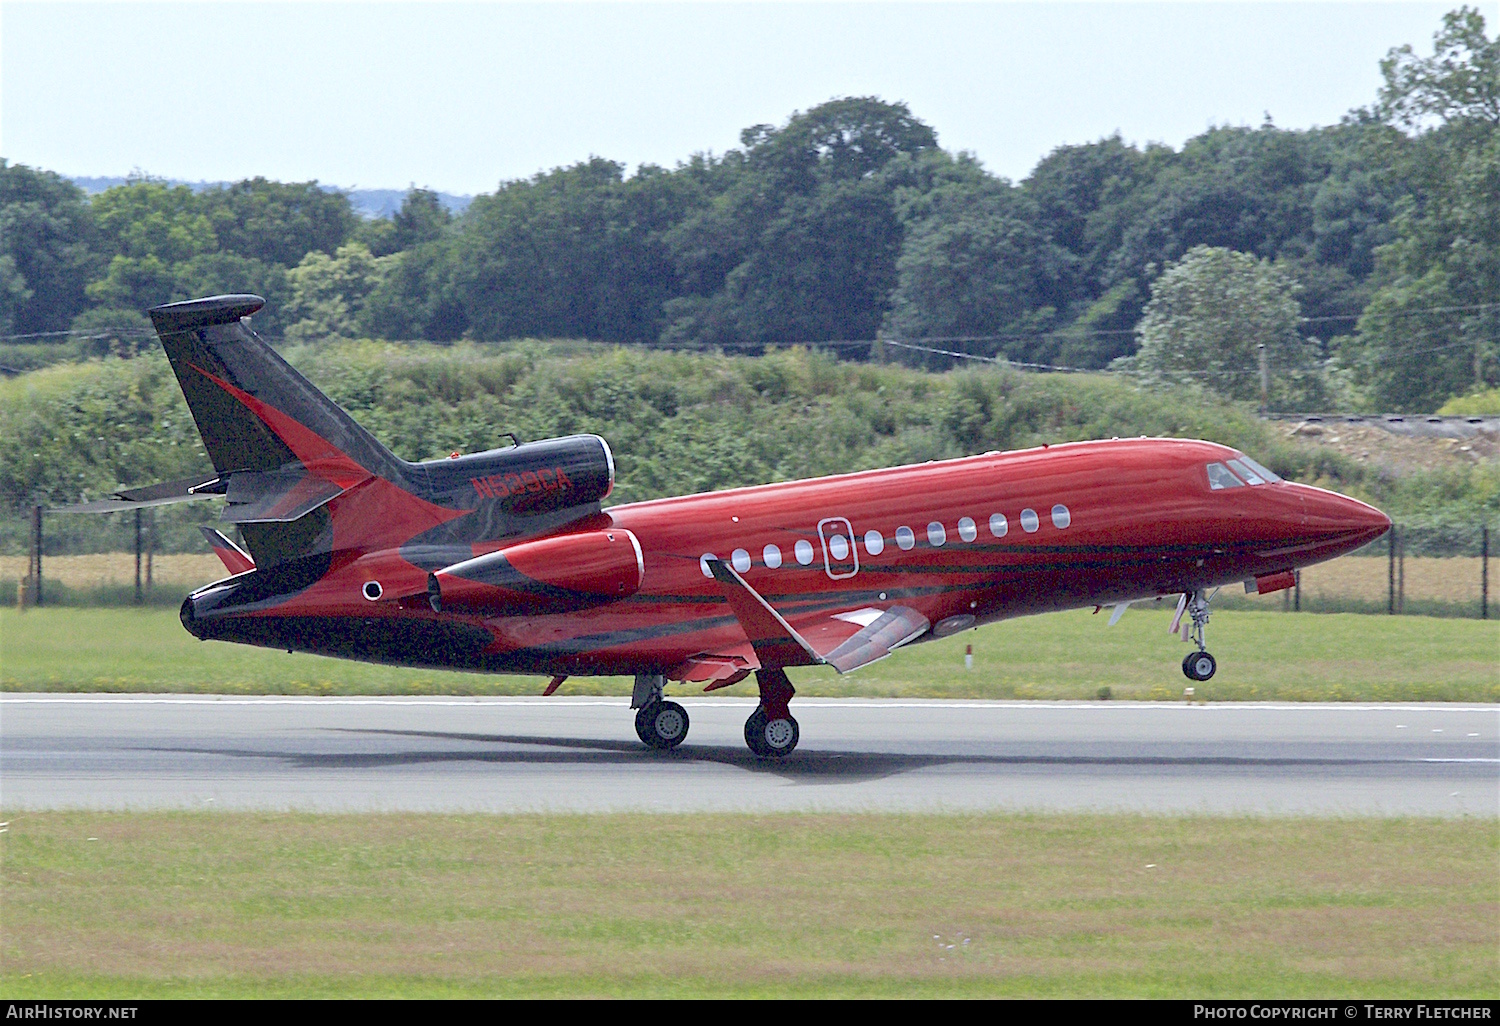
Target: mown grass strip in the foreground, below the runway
x,y
116,905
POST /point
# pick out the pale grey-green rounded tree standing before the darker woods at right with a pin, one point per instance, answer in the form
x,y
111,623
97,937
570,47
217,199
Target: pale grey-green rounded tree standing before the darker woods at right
x,y
1207,320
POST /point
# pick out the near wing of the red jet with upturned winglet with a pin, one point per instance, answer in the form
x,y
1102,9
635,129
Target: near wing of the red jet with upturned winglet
x,y
845,641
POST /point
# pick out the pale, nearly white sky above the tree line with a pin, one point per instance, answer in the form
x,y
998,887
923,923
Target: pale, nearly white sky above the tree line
x,y
463,97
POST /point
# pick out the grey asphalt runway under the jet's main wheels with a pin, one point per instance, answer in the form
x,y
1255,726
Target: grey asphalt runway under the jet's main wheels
x,y
869,755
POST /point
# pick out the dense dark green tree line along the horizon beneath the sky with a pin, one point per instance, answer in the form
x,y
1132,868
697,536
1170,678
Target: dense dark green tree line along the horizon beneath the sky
x,y
1378,239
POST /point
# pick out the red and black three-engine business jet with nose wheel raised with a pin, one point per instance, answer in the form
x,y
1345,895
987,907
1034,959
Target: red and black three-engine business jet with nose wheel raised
x,y
505,560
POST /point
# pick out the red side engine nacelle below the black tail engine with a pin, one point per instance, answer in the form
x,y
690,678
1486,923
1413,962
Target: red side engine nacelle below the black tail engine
x,y
548,575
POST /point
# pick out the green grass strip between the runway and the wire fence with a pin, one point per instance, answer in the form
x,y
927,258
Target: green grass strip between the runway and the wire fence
x,y
1064,656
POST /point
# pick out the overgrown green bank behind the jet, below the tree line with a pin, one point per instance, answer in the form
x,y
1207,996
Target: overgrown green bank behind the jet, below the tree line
x,y
679,424
